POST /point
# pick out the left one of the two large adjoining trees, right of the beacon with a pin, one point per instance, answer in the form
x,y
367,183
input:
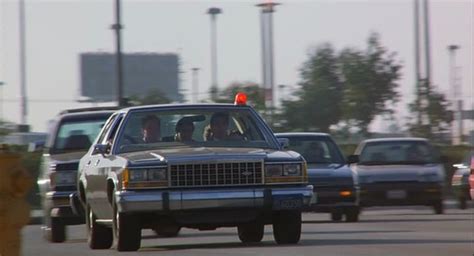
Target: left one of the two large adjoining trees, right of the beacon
x,y
318,105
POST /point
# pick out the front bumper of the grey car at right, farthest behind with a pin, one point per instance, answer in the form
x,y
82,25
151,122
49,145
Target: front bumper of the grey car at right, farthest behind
x,y
388,194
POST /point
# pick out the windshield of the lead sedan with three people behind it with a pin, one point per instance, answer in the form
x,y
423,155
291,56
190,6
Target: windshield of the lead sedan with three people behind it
x,y
165,128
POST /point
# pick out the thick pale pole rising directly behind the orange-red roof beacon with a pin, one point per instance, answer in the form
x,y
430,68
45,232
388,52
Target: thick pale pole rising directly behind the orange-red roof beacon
x,y
266,18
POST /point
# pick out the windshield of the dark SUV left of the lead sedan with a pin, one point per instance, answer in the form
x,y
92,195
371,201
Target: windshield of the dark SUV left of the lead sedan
x,y
77,135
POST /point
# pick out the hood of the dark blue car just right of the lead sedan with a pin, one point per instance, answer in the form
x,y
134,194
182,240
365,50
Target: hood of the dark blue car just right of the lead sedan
x,y
329,175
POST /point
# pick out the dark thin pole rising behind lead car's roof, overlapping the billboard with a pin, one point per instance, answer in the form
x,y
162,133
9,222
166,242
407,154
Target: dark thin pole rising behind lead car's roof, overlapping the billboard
x,y
118,42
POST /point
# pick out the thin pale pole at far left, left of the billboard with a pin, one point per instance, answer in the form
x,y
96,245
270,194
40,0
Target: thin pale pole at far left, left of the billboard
x,y
24,99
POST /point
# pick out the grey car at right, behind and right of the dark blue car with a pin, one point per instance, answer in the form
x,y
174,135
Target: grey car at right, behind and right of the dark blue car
x,y
399,171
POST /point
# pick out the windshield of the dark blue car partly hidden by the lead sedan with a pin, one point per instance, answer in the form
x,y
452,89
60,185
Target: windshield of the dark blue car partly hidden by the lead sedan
x,y
316,150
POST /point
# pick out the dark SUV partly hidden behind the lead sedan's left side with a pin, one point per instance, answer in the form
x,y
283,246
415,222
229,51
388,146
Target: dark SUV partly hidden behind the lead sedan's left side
x,y
71,134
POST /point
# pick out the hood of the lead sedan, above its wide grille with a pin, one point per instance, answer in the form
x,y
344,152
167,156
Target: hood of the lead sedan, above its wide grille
x,y
209,154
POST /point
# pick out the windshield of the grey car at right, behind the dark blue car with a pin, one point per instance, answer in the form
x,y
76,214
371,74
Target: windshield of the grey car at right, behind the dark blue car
x,y
397,152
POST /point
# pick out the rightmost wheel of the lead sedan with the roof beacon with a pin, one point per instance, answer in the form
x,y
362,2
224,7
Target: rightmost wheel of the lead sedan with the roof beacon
x,y
287,227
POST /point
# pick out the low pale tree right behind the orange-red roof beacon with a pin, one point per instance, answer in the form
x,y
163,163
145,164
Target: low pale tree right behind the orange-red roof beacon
x,y
255,94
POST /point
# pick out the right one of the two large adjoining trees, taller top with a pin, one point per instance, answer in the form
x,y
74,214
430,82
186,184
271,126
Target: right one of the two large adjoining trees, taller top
x,y
369,79
